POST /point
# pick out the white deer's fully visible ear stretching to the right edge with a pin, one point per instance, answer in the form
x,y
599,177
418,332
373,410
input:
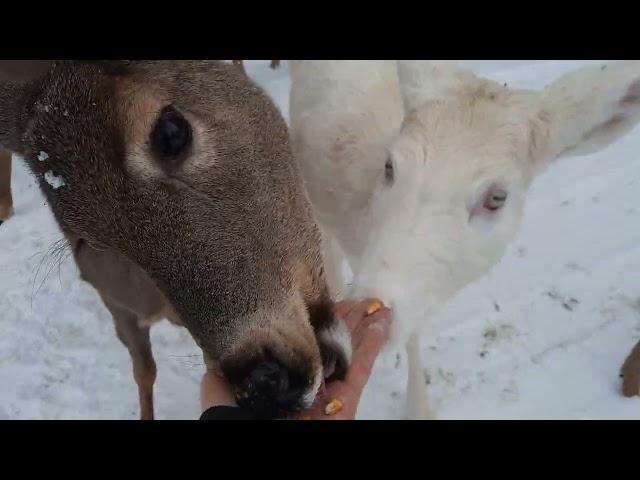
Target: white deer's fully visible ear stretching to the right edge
x,y
587,110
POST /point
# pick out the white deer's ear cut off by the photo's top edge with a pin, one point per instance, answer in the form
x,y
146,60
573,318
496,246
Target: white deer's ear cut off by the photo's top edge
x,y
424,80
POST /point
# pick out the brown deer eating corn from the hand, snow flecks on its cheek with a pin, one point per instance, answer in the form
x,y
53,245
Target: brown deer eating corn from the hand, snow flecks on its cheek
x,y
175,186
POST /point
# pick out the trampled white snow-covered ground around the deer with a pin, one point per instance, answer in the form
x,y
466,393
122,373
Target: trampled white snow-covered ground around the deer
x,y
542,336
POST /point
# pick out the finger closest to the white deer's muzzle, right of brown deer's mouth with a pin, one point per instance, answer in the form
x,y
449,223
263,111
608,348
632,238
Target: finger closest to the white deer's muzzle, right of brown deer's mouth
x,y
364,357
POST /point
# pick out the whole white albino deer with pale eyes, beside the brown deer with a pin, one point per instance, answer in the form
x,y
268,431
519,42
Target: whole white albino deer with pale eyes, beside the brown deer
x,y
418,170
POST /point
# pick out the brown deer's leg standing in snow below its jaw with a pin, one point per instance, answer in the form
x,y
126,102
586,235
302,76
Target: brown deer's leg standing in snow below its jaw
x,y
136,339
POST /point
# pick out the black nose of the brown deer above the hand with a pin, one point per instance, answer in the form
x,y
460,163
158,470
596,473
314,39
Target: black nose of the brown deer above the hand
x,y
271,390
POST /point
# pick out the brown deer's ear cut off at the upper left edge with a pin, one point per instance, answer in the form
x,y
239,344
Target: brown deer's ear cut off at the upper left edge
x,y
19,80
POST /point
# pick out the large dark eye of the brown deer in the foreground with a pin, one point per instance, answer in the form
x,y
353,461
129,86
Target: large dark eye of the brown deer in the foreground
x,y
172,136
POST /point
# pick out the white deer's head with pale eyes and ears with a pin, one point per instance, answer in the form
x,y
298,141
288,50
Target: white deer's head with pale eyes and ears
x,y
451,192
